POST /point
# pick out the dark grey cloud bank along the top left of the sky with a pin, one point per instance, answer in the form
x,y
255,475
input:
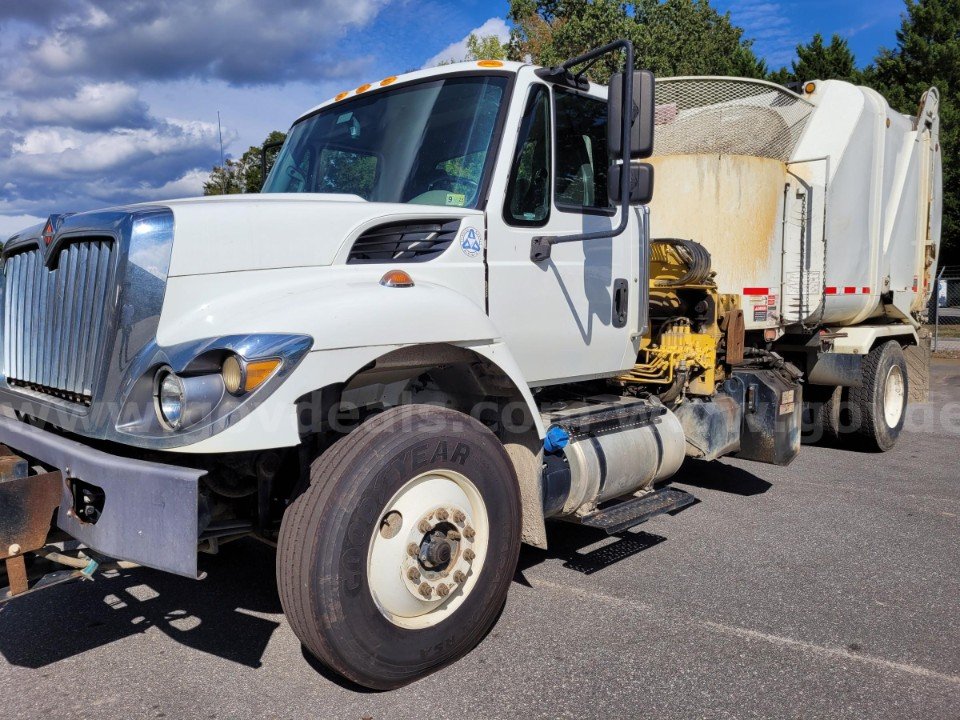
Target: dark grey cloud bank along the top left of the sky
x,y
245,42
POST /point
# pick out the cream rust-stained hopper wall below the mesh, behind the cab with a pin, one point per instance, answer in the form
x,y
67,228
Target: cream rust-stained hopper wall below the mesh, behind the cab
x,y
732,205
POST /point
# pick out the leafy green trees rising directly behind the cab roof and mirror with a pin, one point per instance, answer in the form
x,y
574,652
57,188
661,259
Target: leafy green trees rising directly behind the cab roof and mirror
x,y
671,37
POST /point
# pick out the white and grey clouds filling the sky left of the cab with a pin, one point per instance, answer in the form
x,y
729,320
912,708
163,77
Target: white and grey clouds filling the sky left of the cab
x,y
92,91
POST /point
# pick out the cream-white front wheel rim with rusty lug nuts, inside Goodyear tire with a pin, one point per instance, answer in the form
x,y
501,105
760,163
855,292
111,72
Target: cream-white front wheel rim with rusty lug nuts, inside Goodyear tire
x,y
440,504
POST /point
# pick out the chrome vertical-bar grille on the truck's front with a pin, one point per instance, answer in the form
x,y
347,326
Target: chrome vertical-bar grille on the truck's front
x,y
54,319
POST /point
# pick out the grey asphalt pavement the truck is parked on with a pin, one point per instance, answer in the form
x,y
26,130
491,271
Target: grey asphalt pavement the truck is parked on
x,y
826,589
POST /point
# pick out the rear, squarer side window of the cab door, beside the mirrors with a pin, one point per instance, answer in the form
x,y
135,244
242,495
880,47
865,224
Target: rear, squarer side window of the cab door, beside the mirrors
x,y
581,151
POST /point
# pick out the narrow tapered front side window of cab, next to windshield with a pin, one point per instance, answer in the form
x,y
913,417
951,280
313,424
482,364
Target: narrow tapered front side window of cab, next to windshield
x,y
528,193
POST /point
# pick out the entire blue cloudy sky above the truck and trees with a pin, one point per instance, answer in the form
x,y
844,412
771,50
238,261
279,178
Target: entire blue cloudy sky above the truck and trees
x,y
107,102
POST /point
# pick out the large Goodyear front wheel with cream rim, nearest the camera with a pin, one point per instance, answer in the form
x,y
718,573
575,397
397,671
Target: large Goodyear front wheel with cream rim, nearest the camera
x,y
398,558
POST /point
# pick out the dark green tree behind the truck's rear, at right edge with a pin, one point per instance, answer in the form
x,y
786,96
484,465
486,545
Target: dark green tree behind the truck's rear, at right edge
x,y
928,55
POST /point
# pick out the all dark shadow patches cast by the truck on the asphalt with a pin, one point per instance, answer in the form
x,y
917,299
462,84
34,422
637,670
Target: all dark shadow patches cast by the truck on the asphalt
x,y
234,612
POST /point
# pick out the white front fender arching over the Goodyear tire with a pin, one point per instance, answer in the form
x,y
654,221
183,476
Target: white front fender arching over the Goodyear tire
x,y
353,320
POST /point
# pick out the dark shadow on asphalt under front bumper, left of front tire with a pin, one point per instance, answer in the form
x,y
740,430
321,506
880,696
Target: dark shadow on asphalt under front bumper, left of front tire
x,y
219,616
